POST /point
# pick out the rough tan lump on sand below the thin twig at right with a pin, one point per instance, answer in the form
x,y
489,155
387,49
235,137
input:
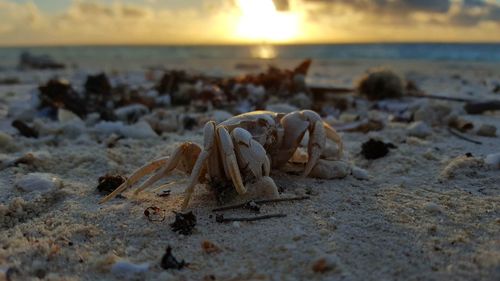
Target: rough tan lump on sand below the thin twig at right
x,y
462,166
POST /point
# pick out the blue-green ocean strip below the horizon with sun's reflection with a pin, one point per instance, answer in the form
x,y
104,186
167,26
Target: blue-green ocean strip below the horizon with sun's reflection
x,y
143,56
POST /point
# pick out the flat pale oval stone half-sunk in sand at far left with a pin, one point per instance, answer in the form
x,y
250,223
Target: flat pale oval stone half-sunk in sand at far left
x,y
38,182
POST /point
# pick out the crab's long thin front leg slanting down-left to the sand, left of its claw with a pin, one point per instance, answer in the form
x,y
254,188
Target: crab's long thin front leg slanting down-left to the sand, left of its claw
x,y
209,143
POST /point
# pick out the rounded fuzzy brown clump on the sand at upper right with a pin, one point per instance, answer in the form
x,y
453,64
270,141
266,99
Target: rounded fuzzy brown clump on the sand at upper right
x,y
380,84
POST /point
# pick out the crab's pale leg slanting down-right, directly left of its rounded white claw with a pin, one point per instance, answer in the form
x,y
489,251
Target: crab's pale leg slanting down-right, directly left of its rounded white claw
x,y
229,159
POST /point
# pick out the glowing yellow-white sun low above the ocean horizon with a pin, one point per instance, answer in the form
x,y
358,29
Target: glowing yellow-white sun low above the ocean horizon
x,y
260,21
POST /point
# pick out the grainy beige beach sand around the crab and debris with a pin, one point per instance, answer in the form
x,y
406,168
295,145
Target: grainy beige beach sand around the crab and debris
x,y
418,217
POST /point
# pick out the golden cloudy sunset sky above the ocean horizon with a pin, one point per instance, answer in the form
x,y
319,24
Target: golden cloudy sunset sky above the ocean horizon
x,y
76,22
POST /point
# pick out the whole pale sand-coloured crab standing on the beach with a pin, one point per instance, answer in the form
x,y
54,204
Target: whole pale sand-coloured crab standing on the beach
x,y
241,151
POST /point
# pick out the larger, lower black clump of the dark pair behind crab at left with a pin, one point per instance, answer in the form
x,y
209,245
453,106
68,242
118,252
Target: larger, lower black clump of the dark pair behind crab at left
x,y
58,93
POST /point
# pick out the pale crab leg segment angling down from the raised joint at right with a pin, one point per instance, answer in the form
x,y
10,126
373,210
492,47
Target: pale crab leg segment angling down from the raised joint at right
x,y
317,140
